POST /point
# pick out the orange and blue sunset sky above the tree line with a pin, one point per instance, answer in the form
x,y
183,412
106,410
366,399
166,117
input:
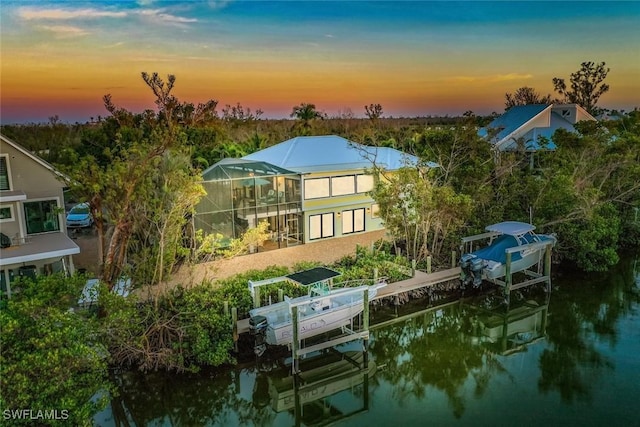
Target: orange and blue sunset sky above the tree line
x,y
415,58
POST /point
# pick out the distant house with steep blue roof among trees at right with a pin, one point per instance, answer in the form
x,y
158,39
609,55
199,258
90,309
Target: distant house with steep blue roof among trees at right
x,y
531,127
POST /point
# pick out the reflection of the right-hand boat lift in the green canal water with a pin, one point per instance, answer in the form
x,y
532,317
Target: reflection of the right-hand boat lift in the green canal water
x,y
510,331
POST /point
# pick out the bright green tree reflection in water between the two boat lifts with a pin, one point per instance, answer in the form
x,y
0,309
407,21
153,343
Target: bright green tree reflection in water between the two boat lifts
x,y
431,350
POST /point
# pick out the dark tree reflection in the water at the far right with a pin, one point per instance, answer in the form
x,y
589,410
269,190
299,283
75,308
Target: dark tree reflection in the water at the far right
x,y
584,312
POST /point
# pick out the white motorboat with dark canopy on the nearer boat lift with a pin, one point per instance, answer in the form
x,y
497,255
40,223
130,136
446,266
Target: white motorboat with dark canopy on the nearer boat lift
x,y
323,309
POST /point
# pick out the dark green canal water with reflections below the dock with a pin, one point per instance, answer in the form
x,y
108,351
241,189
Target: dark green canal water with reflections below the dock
x,y
568,358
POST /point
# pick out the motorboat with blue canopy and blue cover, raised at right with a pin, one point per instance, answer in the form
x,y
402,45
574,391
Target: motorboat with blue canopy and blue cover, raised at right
x,y
511,243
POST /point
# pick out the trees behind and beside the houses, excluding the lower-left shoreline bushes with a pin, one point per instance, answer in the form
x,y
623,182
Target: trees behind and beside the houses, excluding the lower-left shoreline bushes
x,y
139,172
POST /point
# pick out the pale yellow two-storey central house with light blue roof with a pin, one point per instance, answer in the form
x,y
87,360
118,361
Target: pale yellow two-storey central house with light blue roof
x,y
335,176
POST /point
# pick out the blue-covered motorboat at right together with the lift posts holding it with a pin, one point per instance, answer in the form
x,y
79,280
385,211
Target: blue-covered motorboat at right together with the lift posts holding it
x,y
513,247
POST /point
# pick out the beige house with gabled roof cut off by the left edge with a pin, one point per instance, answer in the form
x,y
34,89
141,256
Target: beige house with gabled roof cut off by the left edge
x,y
32,220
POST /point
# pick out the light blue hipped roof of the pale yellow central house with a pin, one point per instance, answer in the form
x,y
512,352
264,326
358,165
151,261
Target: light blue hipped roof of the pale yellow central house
x,y
306,154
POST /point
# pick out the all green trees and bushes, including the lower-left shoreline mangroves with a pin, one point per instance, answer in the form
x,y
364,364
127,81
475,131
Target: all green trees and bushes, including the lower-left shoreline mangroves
x,y
140,173
